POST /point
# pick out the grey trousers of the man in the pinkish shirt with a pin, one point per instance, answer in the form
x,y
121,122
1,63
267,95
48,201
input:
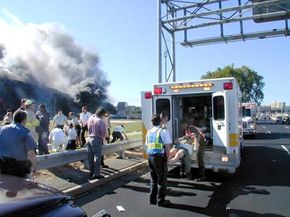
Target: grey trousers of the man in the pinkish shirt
x,y
94,146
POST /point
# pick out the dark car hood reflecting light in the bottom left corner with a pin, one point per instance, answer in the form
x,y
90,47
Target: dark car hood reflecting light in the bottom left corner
x,y
23,197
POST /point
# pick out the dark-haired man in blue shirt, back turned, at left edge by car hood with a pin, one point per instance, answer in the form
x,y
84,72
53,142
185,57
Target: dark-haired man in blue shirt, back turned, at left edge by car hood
x,y
17,148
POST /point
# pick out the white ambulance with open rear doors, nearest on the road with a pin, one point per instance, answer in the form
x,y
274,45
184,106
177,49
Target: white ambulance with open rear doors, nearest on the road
x,y
217,102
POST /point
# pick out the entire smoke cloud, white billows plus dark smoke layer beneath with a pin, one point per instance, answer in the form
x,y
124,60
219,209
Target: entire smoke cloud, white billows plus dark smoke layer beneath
x,y
45,58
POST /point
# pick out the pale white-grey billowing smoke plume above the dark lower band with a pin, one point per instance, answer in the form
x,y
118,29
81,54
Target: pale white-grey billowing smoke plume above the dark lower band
x,y
46,55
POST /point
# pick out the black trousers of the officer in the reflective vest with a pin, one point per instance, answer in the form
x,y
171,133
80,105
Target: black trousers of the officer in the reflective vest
x,y
158,171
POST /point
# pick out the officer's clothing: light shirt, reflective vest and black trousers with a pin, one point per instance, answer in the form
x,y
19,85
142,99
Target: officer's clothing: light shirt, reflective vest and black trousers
x,y
158,166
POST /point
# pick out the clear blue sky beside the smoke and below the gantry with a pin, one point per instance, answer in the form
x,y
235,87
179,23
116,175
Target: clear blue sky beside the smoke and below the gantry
x,y
124,36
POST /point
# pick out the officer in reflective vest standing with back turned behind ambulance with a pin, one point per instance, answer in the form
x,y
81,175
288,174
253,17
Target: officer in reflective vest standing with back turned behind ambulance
x,y
158,142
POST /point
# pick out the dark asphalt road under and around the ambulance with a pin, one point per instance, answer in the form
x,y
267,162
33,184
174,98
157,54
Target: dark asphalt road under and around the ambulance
x,y
261,186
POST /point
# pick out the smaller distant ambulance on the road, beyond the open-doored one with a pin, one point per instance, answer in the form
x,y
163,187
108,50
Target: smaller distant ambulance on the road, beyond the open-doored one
x,y
249,111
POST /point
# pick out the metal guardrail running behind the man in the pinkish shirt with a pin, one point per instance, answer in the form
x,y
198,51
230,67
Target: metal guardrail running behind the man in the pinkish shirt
x,y
66,157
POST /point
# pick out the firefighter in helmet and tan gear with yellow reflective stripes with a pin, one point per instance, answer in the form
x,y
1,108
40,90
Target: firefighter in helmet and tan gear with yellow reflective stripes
x,y
31,122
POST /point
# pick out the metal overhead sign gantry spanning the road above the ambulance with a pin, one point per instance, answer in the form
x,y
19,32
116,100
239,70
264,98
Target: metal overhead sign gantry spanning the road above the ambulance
x,y
204,22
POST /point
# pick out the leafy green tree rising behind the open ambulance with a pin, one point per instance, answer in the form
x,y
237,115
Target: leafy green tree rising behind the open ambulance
x,y
251,83
